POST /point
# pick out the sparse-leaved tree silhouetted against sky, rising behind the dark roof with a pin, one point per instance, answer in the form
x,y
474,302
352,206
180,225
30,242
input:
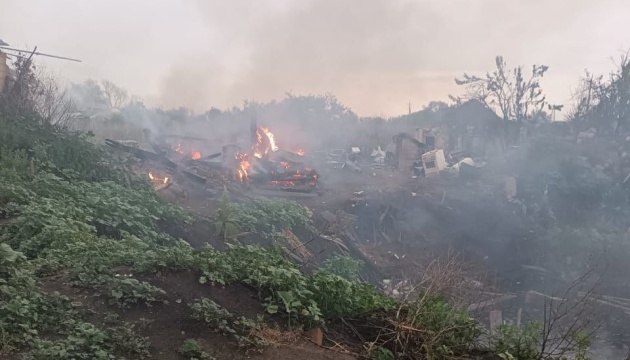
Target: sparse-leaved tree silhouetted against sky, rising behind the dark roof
x,y
507,91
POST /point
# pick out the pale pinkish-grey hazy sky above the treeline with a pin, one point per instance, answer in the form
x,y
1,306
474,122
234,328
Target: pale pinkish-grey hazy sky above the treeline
x,y
375,55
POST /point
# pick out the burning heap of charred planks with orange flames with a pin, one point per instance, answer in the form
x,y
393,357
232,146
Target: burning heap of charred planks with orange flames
x,y
264,165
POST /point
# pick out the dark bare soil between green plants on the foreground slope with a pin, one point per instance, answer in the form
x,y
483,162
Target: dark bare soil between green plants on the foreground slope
x,y
169,323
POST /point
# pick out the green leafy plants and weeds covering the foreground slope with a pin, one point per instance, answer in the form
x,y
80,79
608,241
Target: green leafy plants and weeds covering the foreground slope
x,y
69,208
